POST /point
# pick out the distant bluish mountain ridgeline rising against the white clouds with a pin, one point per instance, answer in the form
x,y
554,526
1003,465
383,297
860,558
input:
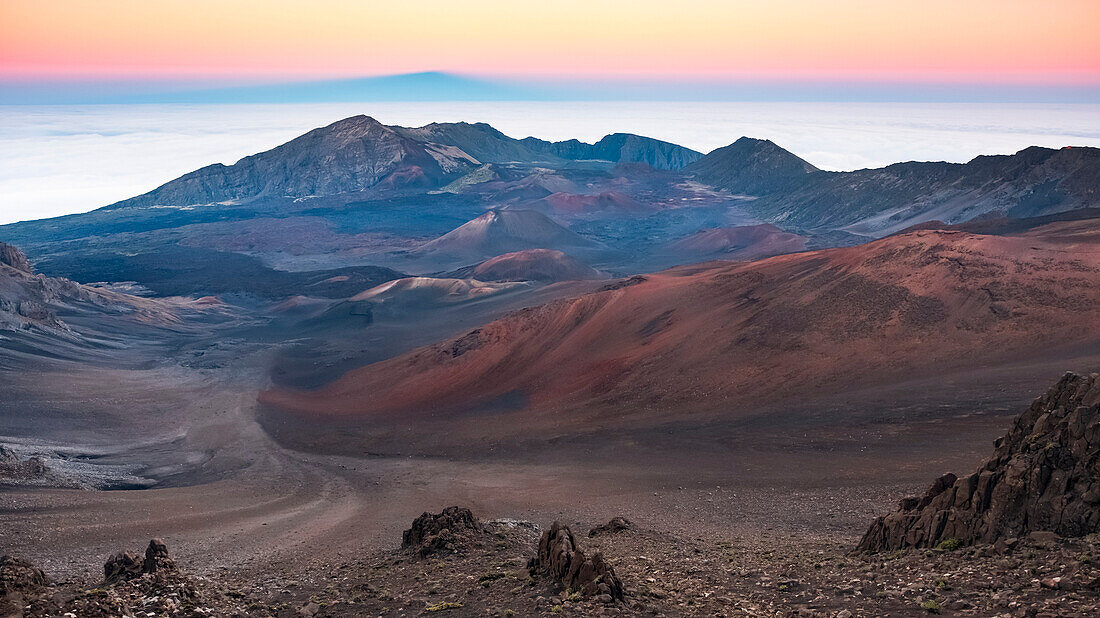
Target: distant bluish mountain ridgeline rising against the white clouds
x,y
360,154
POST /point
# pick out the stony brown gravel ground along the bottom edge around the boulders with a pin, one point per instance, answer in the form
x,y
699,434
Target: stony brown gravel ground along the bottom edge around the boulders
x,y
670,575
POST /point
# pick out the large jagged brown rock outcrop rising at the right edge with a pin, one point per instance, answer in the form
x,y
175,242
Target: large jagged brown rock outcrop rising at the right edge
x,y
1043,477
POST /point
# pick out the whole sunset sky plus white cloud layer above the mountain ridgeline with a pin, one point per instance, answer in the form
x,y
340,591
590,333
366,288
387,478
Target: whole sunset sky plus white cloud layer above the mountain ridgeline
x,y
917,80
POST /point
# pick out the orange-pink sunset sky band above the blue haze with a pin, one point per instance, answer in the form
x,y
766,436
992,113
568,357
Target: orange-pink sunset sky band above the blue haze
x,y
991,41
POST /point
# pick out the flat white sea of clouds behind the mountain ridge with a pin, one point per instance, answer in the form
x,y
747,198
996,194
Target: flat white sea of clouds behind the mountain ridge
x,y
61,160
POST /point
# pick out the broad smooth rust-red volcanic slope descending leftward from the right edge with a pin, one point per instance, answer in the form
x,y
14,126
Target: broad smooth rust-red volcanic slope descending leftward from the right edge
x,y
728,336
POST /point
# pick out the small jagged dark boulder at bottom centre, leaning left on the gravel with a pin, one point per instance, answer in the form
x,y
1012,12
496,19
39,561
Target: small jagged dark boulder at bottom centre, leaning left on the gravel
x,y
560,558
